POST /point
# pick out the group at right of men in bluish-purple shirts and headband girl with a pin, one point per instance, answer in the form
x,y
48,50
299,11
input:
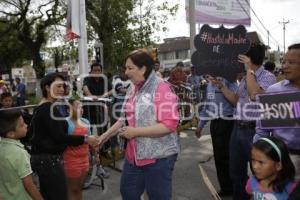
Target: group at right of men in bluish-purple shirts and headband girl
x,y
233,139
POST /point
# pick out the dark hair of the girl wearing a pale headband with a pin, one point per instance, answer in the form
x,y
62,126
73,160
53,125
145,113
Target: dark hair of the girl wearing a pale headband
x,y
287,173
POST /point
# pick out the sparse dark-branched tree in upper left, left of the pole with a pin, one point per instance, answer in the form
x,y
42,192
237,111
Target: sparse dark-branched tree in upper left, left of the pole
x,y
33,21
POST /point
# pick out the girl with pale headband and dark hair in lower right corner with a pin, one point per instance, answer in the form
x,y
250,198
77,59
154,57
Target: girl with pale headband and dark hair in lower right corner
x,y
273,170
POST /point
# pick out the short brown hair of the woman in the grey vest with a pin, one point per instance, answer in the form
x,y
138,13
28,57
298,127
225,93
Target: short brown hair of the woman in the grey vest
x,y
140,58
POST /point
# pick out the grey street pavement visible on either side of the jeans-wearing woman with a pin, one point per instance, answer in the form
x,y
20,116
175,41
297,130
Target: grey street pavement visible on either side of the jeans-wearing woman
x,y
187,182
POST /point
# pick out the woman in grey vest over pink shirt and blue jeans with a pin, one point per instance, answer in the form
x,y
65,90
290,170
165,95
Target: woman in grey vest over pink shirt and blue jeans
x,y
149,127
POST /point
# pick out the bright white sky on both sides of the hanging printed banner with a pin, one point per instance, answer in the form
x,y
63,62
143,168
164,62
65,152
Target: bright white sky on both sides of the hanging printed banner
x,y
270,13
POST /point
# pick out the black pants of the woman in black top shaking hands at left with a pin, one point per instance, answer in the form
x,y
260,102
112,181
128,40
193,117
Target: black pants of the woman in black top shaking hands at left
x,y
52,179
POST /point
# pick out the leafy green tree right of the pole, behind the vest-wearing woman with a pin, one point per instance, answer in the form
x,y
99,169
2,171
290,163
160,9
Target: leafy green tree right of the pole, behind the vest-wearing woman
x,y
125,25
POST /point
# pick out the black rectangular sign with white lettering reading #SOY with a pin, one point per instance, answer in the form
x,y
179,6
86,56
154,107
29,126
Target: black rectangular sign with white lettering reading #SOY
x,y
280,110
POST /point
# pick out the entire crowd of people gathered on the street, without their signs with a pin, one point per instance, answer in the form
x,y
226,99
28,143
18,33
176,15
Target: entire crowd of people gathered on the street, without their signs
x,y
145,119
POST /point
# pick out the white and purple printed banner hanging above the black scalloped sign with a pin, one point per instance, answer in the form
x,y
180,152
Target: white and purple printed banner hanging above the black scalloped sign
x,y
232,12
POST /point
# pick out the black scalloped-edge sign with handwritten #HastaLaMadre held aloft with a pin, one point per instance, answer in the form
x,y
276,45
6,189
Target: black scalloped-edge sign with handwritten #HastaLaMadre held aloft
x,y
217,51
